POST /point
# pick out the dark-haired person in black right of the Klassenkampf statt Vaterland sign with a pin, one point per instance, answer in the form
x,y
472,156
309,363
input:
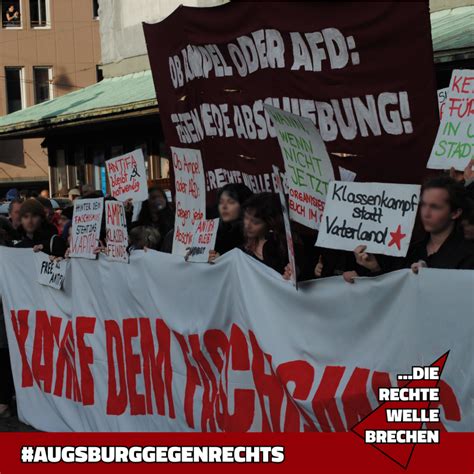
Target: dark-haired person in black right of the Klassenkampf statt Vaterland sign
x,y
444,246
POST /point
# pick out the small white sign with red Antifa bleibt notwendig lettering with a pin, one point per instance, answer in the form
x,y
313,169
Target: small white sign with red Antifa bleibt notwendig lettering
x,y
127,176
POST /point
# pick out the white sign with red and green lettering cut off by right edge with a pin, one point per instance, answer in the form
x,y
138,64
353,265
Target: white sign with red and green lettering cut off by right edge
x,y
454,144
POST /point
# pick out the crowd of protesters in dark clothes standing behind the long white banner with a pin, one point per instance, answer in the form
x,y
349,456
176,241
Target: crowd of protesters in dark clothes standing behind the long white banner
x,y
443,236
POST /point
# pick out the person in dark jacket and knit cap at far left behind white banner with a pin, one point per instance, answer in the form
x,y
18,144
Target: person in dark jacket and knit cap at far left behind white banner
x,y
36,232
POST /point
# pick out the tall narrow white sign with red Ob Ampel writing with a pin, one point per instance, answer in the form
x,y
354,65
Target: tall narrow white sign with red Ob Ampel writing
x,y
190,196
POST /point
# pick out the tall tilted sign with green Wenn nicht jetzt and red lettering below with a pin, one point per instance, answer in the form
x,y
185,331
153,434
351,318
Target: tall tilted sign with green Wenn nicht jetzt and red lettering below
x,y
307,164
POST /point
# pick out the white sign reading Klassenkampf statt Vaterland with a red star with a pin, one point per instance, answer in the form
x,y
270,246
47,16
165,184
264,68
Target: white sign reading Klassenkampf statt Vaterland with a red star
x,y
378,215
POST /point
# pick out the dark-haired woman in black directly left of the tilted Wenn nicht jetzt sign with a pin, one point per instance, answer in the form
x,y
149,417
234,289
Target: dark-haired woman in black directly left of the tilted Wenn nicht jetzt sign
x,y
264,234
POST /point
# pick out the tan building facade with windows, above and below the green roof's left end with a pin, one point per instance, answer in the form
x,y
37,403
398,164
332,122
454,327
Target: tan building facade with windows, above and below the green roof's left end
x,y
48,48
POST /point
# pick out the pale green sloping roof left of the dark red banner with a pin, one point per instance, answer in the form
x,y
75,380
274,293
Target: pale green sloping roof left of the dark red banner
x,y
112,96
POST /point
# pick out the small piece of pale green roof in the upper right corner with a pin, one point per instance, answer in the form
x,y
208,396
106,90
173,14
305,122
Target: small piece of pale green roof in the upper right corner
x,y
452,31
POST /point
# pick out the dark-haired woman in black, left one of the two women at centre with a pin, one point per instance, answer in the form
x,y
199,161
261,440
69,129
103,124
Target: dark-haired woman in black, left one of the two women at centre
x,y
230,233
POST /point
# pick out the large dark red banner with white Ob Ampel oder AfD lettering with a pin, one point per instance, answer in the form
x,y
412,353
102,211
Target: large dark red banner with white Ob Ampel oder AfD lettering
x,y
362,71
